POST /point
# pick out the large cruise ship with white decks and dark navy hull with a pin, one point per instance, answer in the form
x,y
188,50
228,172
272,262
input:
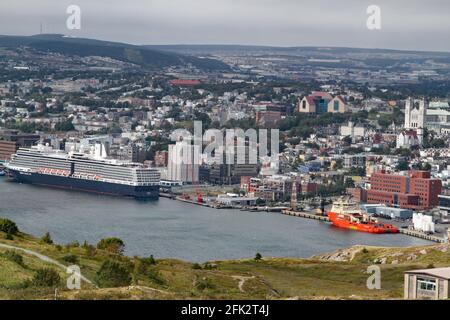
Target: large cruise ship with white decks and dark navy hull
x,y
42,165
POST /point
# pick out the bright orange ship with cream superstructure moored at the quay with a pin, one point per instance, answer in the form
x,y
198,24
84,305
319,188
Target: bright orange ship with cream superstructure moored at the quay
x,y
346,214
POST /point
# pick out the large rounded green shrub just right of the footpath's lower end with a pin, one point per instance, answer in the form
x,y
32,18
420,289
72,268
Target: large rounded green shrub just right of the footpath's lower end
x,y
113,274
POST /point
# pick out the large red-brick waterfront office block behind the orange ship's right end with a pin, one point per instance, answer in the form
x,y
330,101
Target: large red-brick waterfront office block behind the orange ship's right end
x,y
415,190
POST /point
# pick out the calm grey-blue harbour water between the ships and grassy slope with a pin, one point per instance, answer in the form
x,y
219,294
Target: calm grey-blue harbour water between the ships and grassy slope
x,y
171,229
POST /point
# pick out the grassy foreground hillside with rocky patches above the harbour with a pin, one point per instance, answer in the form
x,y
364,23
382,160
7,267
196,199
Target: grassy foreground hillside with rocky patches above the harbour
x,y
339,275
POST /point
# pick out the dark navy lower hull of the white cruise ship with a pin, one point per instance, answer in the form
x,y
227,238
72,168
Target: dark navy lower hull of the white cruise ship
x,y
98,187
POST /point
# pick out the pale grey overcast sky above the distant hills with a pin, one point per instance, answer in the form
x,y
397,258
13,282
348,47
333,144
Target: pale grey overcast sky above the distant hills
x,y
406,24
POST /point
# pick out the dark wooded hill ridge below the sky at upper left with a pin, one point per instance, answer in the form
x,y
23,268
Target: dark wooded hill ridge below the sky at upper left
x,y
140,55
